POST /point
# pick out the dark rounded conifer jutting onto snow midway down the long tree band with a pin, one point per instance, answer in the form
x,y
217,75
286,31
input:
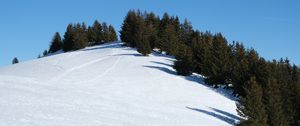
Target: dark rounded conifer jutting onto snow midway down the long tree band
x,y
184,61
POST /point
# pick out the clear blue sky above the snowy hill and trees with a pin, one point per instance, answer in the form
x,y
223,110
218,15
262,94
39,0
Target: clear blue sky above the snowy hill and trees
x,y
271,27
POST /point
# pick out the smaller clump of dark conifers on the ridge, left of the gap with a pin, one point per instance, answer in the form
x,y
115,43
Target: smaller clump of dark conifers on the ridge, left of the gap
x,y
78,36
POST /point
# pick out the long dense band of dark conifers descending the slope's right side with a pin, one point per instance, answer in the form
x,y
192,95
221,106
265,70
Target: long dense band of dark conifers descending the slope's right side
x,y
268,91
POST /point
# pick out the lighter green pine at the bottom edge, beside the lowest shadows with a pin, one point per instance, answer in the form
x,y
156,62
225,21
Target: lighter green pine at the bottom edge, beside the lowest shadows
x,y
251,106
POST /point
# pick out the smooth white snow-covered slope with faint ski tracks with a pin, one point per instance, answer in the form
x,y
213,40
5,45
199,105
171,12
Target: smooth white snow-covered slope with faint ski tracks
x,y
108,85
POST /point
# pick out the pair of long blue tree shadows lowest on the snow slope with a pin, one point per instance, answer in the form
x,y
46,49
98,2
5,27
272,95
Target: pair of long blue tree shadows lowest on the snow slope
x,y
217,114
